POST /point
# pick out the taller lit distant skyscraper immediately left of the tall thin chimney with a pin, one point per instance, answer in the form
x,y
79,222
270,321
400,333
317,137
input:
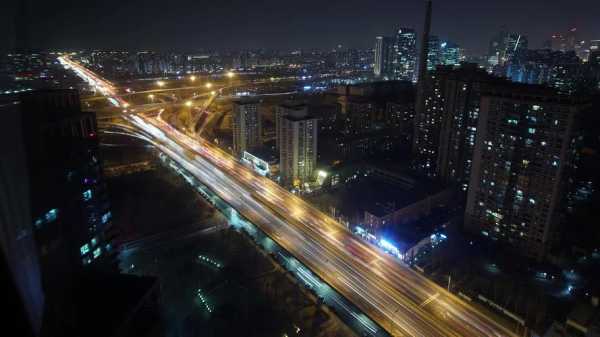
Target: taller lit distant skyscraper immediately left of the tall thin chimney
x,y
405,54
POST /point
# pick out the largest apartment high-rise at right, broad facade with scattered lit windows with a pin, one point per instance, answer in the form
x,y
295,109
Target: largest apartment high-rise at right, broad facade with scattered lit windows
x,y
522,154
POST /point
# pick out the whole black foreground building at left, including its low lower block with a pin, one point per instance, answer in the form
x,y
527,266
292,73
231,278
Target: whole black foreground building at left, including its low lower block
x,y
56,223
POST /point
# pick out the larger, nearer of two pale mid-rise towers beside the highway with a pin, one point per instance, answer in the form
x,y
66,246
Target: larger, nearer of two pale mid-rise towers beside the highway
x,y
297,145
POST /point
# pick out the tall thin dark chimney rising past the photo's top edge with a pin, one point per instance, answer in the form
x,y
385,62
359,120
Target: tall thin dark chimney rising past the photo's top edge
x,y
422,74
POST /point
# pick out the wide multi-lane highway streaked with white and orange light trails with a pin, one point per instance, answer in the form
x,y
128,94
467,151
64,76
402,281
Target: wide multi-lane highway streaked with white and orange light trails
x,y
402,301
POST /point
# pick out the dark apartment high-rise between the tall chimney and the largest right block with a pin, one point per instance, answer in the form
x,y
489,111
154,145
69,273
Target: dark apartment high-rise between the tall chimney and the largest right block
x,y
445,130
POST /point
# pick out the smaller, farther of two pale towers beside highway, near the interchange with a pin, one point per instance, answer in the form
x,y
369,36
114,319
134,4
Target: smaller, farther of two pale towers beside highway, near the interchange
x,y
247,126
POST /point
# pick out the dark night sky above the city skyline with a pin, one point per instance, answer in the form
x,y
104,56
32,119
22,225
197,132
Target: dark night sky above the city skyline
x,y
236,24
